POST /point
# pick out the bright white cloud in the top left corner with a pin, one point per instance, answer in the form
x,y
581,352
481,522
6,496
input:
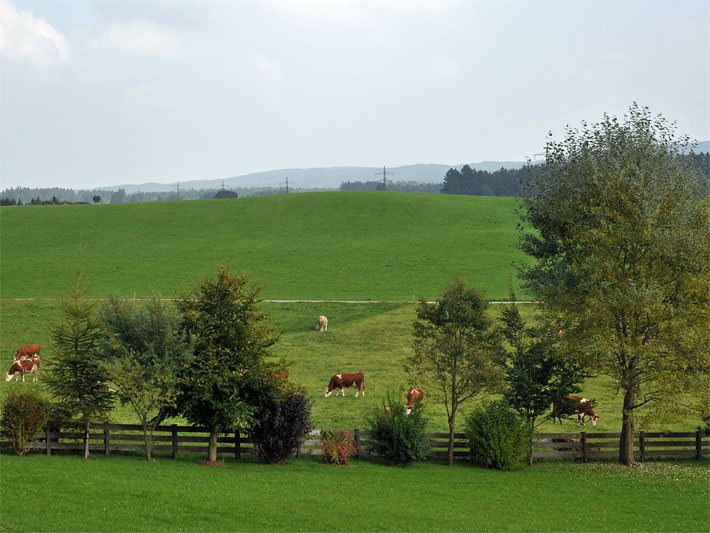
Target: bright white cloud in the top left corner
x,y
24,37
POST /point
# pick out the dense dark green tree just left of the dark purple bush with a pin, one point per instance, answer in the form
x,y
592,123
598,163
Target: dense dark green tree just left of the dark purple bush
x,y
228,380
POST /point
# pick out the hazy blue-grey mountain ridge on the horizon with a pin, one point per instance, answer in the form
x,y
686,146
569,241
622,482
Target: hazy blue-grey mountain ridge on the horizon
x,y
318,178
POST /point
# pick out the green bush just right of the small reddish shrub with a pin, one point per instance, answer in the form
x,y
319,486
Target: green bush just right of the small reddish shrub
x,y
397,436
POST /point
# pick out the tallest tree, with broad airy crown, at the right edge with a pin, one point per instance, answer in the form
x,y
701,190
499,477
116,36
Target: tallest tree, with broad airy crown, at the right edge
x,y
621,242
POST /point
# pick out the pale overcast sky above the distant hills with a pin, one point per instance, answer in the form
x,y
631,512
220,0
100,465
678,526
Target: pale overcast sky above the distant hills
x,y
128,91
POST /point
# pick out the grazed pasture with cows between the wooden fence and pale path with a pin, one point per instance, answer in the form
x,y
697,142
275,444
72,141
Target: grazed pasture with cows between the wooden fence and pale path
x,y
373,338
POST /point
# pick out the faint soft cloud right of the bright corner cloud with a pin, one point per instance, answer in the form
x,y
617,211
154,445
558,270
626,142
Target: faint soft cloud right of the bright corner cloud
x,y
143,37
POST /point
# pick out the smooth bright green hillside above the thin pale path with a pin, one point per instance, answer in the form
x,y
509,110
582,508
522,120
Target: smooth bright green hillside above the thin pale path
x,y
354,245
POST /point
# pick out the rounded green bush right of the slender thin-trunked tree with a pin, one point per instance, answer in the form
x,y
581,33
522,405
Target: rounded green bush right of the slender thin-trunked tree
x,y
498,436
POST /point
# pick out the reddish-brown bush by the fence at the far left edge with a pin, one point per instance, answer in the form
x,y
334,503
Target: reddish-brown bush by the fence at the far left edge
x,y
24,414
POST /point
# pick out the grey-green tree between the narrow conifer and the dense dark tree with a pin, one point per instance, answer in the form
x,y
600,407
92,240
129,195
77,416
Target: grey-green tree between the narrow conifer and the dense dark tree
x,y
146,352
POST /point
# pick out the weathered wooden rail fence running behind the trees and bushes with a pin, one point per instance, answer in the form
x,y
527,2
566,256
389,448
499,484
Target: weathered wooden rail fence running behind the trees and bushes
x,y
176,440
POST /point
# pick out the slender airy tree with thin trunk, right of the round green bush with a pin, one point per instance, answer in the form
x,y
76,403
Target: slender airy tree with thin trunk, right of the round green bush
x,y
456,351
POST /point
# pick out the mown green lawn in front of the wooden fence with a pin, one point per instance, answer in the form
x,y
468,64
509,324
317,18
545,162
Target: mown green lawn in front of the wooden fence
x,y
128,494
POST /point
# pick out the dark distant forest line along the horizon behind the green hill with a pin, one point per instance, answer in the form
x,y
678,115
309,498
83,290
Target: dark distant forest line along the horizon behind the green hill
x,y
503,182
